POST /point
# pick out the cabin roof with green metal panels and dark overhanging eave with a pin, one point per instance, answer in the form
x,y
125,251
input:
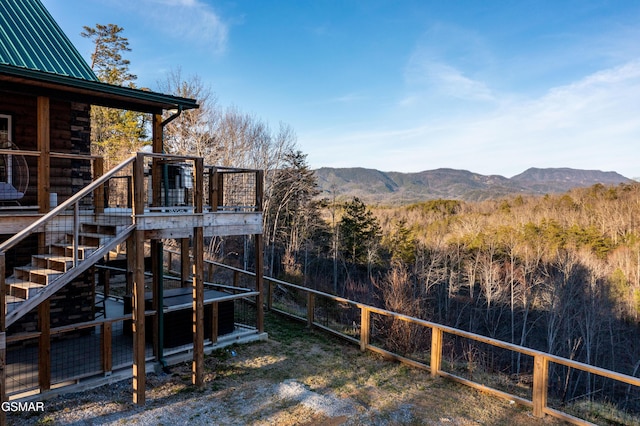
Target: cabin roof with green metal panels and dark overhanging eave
x,y
35,52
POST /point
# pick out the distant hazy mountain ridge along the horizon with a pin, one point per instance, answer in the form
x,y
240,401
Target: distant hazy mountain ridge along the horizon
x,y
375,186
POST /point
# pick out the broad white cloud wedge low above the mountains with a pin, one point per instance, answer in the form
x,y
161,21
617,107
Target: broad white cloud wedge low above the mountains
x,y
591,123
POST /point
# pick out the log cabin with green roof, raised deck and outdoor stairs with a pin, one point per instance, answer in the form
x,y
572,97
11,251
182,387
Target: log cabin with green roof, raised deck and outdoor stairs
x,y
62,217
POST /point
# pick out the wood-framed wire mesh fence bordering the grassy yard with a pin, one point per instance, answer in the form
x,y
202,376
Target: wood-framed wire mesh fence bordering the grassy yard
x,y
363,325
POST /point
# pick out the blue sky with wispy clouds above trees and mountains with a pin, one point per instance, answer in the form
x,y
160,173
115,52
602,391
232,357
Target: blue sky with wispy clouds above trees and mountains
x,y
494,87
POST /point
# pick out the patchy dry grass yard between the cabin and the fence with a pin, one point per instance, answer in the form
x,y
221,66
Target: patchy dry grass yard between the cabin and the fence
x,y
295,378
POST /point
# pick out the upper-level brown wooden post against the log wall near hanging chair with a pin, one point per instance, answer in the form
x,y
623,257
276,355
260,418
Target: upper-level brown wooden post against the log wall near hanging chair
x,y
44,147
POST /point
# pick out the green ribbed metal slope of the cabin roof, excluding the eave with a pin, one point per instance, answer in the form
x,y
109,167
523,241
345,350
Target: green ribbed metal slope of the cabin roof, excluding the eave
x,y
30,38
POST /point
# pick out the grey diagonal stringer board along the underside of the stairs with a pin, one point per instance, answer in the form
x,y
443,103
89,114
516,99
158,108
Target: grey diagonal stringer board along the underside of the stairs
x,y
29,304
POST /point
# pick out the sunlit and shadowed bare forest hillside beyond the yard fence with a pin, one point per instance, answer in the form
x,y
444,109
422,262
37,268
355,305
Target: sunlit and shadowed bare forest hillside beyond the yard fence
x,y
559,273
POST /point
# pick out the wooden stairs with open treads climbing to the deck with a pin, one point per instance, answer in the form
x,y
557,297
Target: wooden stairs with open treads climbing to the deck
x,y
51,271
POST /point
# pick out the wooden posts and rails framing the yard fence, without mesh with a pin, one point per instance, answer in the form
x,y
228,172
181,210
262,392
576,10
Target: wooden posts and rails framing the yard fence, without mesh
x,y
541,360
